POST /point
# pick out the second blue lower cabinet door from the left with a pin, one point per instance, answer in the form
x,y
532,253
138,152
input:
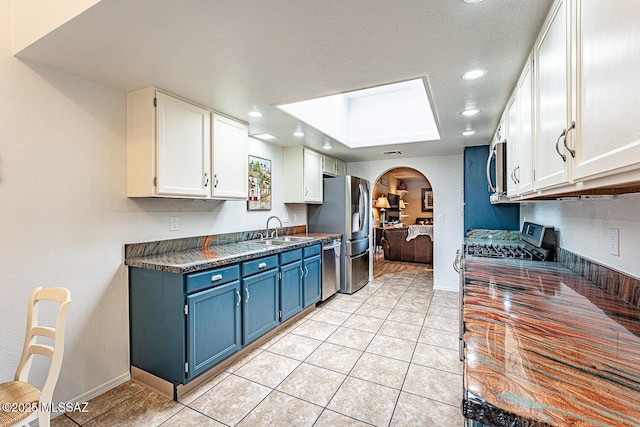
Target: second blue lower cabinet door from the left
x,y
260,308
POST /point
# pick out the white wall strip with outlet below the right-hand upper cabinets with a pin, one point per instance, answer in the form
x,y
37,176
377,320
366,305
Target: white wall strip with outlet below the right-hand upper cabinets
x,y
584,228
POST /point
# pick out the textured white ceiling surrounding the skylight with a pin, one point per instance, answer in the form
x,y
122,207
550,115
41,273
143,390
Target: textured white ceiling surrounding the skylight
x,y
239,55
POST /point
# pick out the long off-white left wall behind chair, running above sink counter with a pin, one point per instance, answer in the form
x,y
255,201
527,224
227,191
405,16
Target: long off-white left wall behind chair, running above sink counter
x,y
64,216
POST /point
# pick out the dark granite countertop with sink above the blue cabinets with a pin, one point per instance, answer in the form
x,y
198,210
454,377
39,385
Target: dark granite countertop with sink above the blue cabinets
x,y
197,259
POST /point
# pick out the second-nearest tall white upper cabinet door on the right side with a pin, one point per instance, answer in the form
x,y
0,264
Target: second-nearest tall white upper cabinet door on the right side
x,y
552,93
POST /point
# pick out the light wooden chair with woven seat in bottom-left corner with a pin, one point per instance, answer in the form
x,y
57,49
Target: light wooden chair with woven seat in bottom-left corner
x,y
19,392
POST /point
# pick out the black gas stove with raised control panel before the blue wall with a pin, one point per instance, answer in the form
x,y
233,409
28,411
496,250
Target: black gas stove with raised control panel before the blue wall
x,y
537,243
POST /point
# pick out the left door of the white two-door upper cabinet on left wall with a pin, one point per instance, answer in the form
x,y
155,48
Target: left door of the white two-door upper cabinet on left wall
x,y
183,148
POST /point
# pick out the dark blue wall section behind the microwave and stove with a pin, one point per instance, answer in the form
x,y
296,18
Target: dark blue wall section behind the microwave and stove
x,y
478,211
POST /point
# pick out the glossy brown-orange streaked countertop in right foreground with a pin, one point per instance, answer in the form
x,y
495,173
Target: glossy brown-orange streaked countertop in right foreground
x,y
545,347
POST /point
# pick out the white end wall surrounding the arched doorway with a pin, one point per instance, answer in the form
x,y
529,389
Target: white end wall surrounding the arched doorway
x,y
446,177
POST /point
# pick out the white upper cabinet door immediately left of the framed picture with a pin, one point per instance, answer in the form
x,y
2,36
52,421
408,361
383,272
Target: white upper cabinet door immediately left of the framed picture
x,y
230,159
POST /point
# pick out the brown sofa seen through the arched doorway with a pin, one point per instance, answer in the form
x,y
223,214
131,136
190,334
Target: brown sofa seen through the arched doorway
x,y
397,248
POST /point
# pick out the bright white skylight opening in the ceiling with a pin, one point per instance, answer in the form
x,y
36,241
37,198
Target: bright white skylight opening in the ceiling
x,y
396,113
